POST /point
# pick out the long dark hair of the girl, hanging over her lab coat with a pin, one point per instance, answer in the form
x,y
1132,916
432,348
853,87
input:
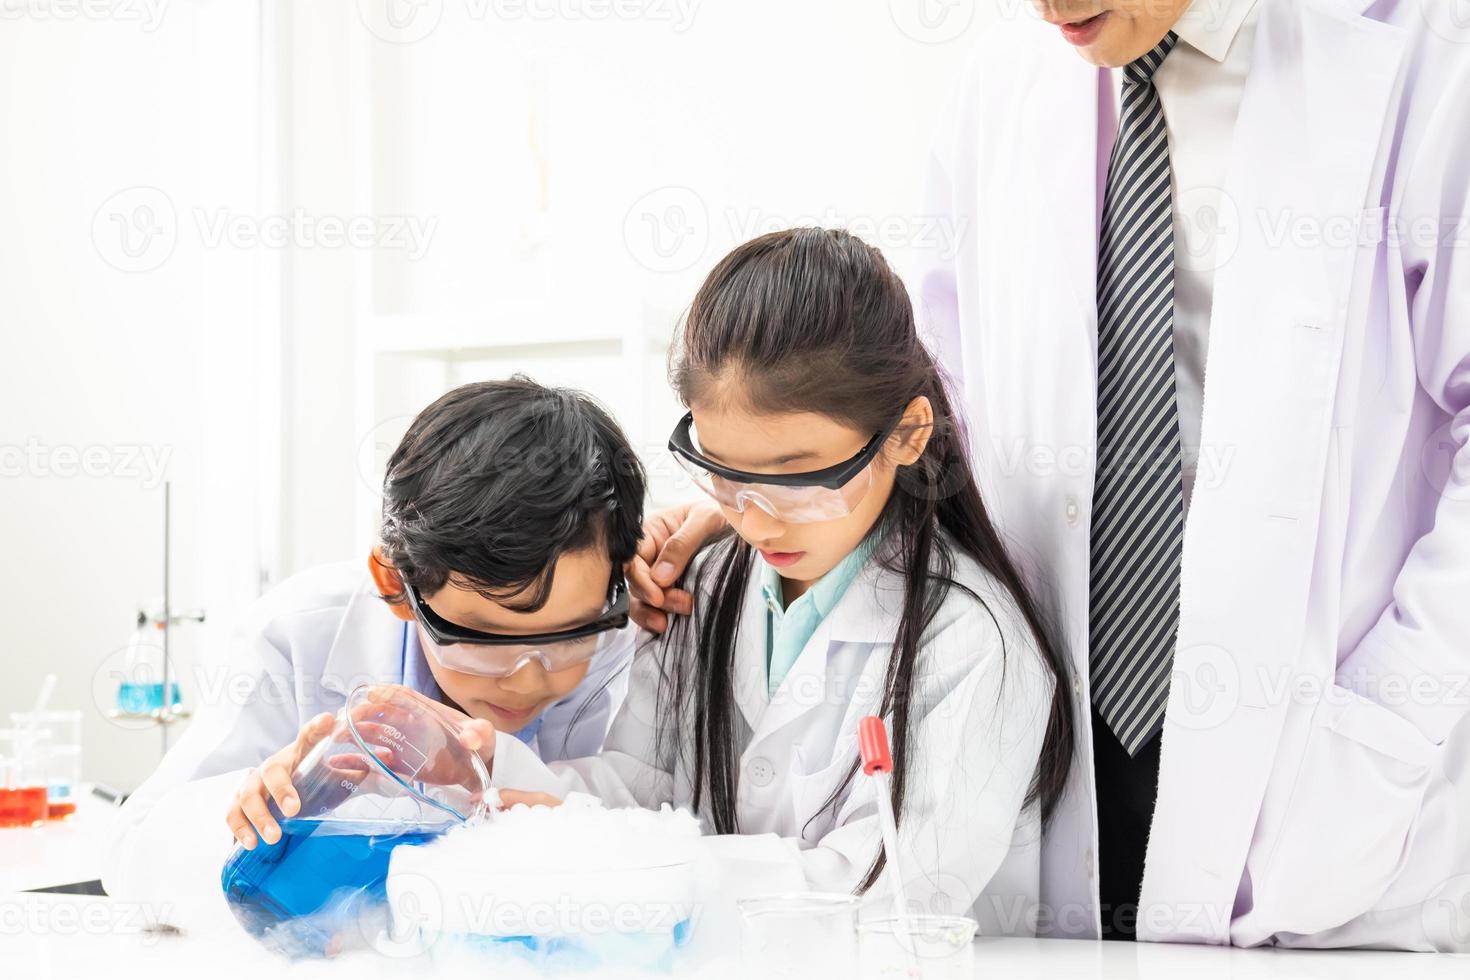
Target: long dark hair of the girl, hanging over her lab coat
x,y
815,321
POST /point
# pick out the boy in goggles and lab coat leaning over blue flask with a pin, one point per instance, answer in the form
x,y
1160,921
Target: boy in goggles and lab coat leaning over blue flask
x,y
496,590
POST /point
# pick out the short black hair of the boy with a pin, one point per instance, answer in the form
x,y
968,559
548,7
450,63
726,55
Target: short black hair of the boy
x,y
498,480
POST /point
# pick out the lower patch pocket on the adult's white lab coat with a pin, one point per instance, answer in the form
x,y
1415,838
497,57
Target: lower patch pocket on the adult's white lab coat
x,y
1350,819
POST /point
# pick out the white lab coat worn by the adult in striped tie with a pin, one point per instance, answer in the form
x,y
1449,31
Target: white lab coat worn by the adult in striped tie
x,y
1306,797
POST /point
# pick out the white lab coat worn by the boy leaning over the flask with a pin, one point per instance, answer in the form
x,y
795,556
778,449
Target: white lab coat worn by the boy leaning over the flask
x,y
299,653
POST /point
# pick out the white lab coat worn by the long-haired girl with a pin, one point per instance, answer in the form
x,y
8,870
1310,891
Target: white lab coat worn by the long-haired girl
x,y
981,700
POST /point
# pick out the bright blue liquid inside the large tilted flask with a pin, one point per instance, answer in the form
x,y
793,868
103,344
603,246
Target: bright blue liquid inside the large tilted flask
x,y
299,891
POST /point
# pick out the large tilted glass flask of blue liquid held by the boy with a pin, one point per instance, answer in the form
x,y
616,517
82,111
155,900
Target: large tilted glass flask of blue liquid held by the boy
x,y
393,772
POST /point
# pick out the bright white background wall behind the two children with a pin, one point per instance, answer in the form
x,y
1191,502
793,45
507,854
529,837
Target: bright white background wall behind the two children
x,y
568,171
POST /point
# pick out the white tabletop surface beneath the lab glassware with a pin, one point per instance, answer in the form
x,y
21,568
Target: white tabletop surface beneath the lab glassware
x,y
46,937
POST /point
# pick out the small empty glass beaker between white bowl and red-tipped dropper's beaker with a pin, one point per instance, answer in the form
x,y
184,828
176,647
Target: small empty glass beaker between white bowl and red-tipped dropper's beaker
x,y
799,937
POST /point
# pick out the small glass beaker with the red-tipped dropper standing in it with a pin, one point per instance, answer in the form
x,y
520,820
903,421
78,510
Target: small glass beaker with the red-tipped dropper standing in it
x,y
918,947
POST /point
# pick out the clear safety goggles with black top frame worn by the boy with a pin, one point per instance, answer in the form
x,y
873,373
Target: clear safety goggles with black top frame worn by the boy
x,y
502,655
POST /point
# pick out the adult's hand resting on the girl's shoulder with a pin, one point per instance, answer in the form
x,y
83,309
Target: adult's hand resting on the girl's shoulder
x,y
671,538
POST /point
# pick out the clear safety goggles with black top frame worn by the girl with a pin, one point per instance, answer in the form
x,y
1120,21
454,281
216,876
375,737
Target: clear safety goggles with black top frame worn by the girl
x,y
796,499
